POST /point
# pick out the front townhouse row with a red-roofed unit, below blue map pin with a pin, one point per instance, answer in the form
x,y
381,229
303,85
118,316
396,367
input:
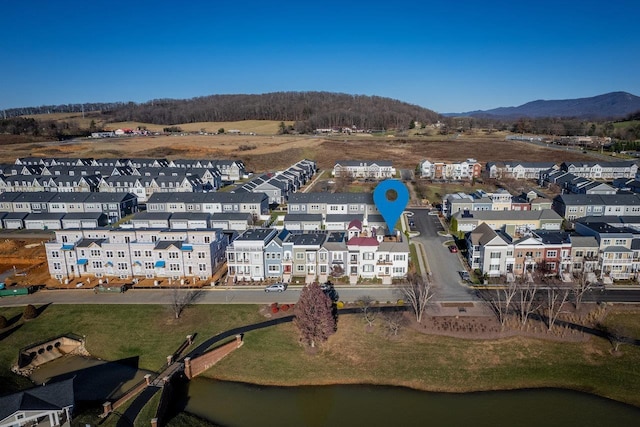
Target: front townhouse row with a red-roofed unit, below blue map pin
x,y
316,256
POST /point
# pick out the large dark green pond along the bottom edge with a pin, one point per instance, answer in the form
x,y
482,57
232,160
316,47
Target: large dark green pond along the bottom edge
x,y
235,404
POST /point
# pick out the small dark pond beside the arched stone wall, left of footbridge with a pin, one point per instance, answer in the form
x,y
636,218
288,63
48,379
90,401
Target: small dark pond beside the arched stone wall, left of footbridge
x,y
96,380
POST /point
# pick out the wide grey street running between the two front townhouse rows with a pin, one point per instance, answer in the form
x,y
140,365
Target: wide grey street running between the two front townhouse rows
x,y
443,264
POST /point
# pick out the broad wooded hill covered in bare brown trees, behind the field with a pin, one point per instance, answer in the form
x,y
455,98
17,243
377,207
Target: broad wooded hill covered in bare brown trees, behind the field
x,y
309,110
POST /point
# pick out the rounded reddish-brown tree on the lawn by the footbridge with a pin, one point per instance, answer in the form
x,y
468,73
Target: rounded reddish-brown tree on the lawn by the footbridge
x,y
315,317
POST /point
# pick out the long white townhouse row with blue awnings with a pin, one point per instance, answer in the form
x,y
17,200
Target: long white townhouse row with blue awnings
x,y
144,253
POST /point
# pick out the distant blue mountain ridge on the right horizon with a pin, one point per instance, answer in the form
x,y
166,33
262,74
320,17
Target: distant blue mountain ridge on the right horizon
x,y
608,106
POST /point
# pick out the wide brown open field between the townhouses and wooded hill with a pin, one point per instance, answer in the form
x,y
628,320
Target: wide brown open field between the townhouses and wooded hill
x,y
279,151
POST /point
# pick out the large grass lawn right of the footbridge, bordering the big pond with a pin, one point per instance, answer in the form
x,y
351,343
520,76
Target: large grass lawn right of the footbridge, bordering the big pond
x,y
273,357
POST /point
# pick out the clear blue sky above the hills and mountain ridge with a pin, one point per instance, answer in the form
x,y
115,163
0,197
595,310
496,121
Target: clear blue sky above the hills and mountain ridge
x,y
446,56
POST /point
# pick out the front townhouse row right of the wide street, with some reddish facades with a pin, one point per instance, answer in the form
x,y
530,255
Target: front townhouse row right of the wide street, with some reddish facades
x,y
602,248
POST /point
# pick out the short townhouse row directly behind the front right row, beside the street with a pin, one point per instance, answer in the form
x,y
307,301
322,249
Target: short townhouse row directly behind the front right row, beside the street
x,y
500,200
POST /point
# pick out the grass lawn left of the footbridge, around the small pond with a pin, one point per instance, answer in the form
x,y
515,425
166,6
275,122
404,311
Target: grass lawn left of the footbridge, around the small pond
x,y
115,332
